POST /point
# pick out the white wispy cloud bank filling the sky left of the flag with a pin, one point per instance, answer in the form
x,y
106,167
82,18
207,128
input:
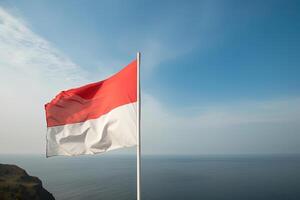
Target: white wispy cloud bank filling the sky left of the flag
x,y
31,71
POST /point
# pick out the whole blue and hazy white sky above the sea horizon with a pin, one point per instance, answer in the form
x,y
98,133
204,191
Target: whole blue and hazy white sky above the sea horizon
x,y
218,77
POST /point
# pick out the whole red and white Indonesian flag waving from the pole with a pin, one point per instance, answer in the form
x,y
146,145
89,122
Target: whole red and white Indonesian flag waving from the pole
x,y
94,118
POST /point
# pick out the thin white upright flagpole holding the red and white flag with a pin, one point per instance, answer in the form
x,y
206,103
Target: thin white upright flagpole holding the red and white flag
x,y
138,132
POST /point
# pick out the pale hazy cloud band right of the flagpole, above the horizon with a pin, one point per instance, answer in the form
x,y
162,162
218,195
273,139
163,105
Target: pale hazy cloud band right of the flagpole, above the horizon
x,y
243,128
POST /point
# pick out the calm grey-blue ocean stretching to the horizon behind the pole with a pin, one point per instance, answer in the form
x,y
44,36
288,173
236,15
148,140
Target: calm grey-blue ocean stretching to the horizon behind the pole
x,y
113,177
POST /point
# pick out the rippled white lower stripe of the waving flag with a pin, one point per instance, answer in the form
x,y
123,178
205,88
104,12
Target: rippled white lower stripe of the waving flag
x,y
113,130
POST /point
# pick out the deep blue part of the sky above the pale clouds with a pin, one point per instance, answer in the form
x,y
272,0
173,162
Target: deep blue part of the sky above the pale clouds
x,y
215,50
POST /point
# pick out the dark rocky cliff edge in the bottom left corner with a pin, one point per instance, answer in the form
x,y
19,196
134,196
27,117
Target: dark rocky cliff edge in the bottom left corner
x,y
16,184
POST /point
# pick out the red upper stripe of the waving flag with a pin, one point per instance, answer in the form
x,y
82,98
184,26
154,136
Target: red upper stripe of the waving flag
x,y
93,100
